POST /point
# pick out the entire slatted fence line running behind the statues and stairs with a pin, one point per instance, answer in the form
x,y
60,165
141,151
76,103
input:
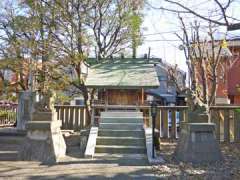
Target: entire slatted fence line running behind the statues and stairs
x,y
226,118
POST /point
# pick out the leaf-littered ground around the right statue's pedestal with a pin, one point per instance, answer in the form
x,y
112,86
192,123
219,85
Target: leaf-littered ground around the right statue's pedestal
x,y
229,168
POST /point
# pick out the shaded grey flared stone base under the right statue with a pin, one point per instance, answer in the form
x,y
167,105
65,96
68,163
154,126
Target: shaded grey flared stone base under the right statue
x,y
197,144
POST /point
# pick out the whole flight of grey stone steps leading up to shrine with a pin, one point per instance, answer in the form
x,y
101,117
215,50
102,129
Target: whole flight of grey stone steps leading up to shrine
x,y
121,134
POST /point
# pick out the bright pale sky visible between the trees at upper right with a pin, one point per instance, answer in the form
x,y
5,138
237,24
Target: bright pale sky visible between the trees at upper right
x,y
159,28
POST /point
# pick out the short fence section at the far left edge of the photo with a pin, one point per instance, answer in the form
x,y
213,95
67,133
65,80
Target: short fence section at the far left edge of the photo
x,y
8,114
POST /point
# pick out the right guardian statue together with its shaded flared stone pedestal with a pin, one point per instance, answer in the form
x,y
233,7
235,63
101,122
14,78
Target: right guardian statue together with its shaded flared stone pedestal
x,y
197,142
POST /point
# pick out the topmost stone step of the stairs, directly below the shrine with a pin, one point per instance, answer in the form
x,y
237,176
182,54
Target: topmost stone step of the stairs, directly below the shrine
x,y
121,114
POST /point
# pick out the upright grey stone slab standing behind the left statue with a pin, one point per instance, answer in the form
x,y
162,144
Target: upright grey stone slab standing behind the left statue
x,y
26,100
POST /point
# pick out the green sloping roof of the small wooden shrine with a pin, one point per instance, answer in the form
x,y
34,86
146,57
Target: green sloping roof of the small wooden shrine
x,y
122,75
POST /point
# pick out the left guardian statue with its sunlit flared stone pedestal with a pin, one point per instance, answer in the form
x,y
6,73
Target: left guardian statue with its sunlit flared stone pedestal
x,y
44,141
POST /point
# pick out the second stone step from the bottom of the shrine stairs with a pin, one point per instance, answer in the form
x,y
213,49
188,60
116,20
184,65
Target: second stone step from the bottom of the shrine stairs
x,y
120,149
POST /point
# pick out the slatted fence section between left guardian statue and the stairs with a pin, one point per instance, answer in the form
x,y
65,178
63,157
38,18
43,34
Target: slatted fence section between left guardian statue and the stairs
x,y
72,117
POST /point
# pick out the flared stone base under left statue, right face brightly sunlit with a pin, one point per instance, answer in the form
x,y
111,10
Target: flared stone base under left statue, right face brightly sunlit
x,y
44,142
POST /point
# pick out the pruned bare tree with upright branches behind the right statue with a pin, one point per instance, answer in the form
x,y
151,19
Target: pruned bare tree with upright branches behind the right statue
x,y
204,58
